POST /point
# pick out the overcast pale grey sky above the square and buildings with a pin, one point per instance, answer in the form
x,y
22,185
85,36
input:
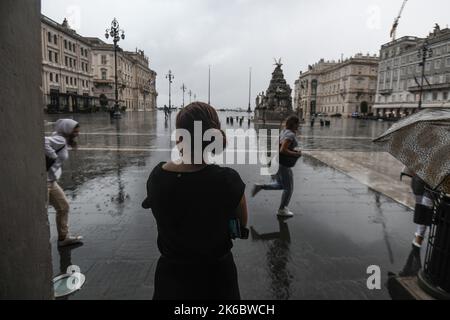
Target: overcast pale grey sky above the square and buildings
x,y
233,35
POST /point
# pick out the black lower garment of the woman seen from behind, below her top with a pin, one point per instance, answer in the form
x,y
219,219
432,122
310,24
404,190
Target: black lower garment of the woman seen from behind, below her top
x,y
176,280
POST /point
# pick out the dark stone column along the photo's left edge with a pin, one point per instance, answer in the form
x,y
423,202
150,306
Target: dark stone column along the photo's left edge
x,y
25,255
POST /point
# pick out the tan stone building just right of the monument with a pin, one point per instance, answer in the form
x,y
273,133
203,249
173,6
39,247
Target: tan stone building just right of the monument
x,y
344,86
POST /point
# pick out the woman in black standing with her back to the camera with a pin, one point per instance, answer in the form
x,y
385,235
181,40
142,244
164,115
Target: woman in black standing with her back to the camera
x,y
193,205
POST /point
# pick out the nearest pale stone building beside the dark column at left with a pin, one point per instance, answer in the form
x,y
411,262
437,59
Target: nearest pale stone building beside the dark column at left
x,y
66,68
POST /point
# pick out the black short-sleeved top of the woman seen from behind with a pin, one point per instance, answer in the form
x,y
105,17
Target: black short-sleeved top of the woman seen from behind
x,y
193,210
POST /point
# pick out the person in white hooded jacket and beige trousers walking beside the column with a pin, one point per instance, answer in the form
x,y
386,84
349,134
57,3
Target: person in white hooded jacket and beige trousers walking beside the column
x,y
56,149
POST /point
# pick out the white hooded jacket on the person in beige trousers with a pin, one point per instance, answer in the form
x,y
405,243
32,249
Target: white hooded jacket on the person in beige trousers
x,y
56,141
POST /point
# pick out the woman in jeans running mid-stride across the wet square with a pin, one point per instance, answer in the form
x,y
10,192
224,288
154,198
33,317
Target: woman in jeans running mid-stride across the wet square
x,y
284,179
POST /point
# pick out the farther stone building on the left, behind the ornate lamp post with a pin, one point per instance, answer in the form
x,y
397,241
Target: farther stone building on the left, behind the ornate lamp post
x,y
136,81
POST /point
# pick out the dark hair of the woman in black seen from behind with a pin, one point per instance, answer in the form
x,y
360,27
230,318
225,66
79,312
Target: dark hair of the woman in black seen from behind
x,y
200,112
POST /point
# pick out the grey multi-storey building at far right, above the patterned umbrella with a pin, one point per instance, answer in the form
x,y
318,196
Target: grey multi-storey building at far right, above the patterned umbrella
x,y
400,75
